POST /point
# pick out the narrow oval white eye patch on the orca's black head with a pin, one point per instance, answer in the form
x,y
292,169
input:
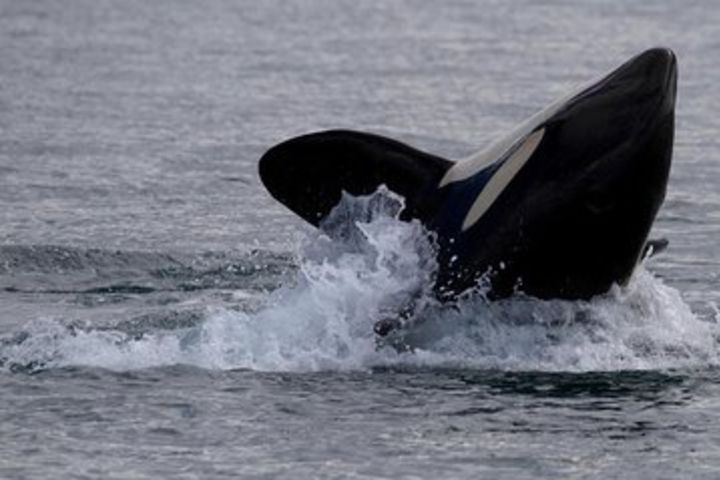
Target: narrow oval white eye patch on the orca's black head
x,y
502,177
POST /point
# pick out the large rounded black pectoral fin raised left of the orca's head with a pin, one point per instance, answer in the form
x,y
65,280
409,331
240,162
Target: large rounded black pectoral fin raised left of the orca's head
x,y
309,173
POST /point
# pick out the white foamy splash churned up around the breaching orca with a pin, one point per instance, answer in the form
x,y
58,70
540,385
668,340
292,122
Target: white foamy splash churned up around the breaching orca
x,y
368,263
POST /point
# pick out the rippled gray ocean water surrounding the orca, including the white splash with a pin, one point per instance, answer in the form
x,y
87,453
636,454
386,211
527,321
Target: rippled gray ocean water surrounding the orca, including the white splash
x,y
162,317
